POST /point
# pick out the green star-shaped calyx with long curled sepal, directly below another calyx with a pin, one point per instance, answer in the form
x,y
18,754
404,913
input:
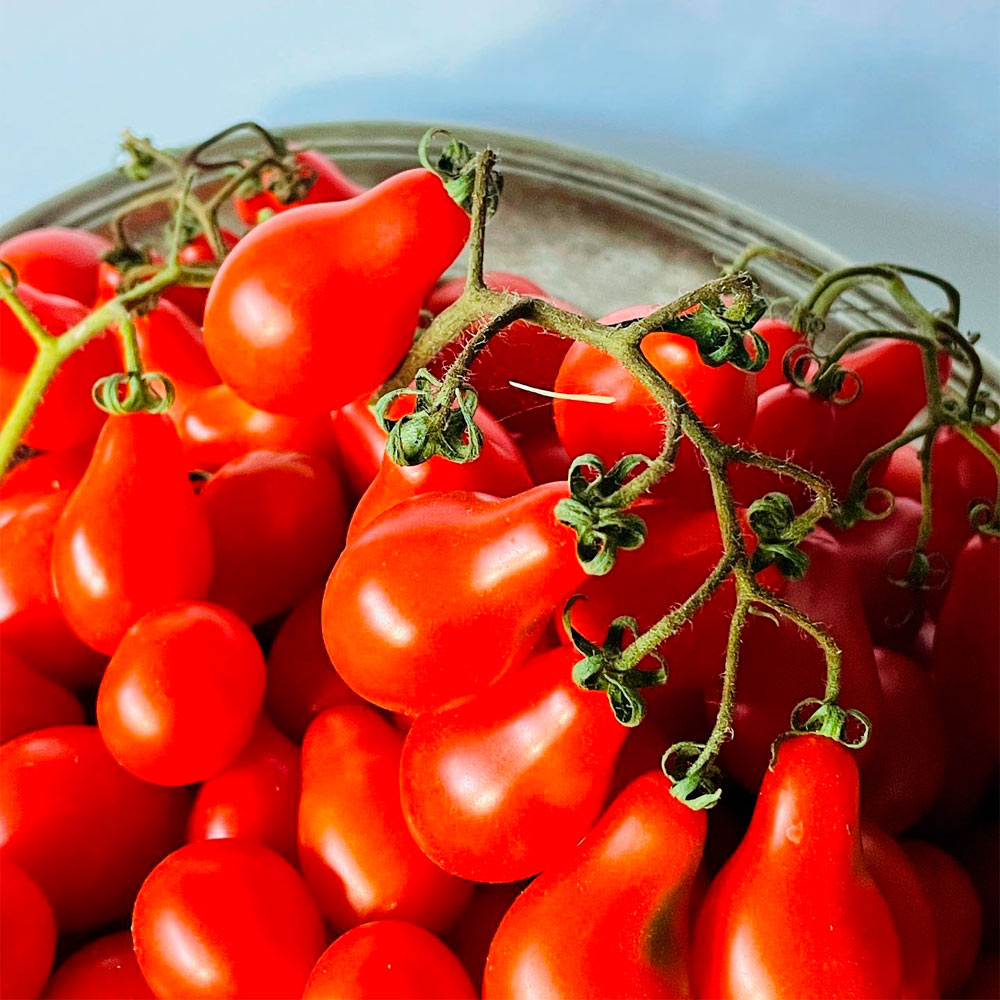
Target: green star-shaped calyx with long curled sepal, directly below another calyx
x,y
599,670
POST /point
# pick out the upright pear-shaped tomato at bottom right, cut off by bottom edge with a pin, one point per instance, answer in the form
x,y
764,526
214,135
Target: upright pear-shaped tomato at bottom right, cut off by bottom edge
x,y
799,876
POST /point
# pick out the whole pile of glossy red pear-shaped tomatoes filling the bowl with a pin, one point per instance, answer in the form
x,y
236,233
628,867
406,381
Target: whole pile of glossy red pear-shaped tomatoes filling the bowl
x,y
282,718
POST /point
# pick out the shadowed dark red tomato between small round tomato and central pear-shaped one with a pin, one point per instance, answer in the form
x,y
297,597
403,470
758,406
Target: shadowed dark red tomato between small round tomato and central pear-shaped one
x,y
301,680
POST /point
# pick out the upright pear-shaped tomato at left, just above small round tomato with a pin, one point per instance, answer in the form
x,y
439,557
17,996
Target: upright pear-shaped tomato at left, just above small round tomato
x,y
133,536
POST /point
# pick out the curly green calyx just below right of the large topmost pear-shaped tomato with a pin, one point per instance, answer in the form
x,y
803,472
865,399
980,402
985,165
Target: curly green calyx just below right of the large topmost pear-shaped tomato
x,y
435,427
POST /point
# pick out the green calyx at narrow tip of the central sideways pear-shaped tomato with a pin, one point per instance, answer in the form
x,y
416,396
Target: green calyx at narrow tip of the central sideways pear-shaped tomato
x,y
601,526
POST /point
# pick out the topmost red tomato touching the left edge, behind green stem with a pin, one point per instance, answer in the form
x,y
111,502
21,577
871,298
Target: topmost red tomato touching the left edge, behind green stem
x,y
57,261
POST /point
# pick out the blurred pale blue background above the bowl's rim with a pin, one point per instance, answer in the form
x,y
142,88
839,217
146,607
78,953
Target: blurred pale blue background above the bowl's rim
x,y
873,126
